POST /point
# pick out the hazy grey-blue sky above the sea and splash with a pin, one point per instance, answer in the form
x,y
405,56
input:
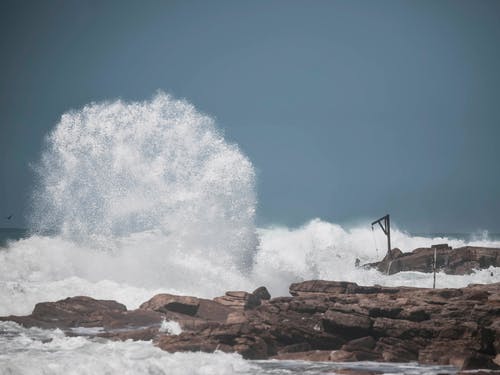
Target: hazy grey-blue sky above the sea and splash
x,y
348,109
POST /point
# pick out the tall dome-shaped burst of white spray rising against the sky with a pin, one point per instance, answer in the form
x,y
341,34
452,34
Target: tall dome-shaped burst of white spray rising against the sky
x,y
112,170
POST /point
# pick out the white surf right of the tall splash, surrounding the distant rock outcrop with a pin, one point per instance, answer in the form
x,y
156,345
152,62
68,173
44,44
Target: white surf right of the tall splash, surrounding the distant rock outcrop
x,y
322,250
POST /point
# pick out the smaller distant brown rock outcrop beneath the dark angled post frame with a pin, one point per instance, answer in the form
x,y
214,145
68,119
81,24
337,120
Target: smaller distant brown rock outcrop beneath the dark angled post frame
x,y
459,261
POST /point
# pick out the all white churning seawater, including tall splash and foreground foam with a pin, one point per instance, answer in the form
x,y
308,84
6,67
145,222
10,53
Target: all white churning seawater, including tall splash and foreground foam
x,y
135,199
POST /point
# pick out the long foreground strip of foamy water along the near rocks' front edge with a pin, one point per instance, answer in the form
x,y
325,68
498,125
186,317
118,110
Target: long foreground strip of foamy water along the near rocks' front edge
x,y
36,351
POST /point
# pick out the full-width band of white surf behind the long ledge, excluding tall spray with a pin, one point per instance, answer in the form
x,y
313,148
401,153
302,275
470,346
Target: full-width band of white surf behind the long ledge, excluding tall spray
x,y
41,268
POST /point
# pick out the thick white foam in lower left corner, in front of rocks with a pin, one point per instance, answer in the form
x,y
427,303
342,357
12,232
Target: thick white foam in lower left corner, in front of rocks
x,y
35,351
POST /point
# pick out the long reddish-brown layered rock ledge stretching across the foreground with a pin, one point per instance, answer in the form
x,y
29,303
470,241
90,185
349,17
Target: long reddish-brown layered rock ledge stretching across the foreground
x,y
321,321
